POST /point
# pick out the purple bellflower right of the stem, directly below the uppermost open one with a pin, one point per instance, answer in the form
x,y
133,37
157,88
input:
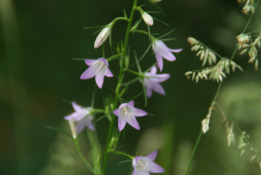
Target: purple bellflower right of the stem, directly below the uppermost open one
x,y
152,81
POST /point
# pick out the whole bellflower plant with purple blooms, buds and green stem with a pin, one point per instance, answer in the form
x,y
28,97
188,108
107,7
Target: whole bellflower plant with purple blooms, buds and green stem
x,y
115,110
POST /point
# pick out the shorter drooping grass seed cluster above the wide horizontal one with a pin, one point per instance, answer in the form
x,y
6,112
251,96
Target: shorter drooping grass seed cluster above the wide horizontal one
x,y
204,53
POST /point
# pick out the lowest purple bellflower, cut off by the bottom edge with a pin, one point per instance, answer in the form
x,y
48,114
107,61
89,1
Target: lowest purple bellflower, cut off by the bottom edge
x,y
145,165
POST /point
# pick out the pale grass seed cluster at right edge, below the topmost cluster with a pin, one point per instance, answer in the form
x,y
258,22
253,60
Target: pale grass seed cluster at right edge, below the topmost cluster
x,y
245,45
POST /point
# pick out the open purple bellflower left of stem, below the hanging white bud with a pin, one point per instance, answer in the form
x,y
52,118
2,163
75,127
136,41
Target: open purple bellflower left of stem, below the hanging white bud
x,y
98,68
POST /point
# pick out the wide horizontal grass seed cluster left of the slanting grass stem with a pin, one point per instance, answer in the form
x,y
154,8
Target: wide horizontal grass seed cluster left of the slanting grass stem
x,y
216,73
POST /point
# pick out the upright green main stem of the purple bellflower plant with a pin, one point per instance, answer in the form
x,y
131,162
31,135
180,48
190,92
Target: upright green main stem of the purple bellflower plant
x,y
118,87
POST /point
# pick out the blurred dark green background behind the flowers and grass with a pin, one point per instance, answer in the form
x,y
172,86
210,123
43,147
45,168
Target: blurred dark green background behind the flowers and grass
x,y
38,40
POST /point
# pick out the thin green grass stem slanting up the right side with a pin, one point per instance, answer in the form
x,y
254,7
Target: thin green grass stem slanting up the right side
x,y
217,92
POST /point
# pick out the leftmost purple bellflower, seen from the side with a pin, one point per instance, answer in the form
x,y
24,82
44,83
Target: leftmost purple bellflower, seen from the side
x,y
82,116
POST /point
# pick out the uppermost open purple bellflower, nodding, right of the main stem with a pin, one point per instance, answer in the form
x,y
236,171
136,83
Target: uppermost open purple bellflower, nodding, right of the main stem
x,y
162,51
